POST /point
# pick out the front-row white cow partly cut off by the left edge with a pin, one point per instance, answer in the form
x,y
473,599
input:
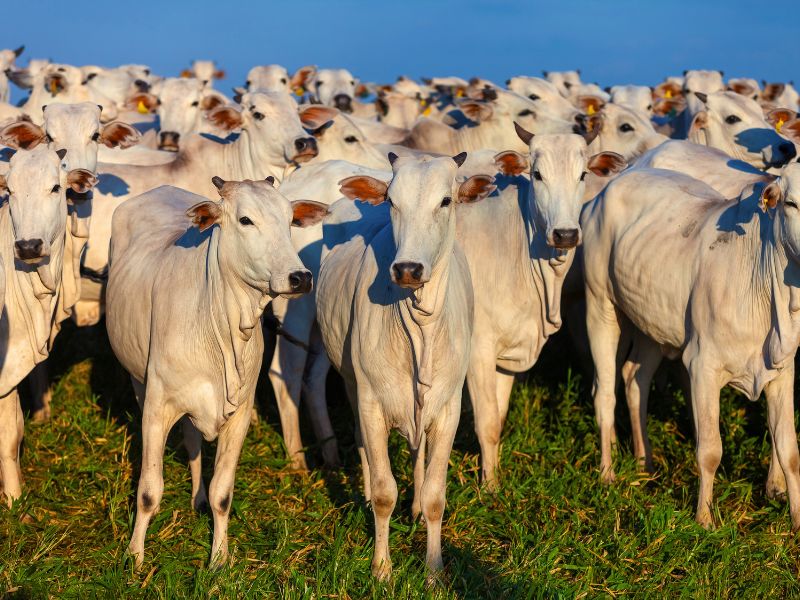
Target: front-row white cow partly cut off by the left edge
x,y
34,251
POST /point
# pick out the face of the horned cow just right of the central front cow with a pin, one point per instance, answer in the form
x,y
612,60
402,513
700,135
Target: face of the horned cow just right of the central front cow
x,y
558,165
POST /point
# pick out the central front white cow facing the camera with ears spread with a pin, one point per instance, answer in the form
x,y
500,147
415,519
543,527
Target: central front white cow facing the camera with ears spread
x,y
394,298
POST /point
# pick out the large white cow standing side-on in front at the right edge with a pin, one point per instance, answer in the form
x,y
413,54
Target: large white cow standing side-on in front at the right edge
x,y
725,301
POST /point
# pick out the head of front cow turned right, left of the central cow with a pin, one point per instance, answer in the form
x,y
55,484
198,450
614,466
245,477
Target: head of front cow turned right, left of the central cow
x,y
254,243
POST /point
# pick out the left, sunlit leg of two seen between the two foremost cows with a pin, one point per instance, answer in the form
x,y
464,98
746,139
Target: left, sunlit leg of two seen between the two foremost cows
x,y
286,375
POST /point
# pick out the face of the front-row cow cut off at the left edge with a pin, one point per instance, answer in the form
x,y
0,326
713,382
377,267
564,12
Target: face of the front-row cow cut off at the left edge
x,y
36,185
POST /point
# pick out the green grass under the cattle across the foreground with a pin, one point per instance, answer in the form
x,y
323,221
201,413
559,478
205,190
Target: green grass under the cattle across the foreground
x,y
552,531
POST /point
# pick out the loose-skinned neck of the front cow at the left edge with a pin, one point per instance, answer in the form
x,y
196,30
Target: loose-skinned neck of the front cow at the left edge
x,y
32,293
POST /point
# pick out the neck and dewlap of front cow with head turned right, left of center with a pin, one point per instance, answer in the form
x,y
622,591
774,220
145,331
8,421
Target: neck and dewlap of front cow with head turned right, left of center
x,y
236,309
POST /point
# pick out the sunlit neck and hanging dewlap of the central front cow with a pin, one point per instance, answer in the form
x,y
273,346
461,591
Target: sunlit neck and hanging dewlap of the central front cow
x,y
420,316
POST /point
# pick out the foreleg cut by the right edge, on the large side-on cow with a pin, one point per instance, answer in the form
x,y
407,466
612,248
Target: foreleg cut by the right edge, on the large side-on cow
x,y
780,408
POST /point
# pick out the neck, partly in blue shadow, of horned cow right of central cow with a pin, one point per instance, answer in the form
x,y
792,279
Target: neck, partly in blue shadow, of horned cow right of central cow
x,y
548,267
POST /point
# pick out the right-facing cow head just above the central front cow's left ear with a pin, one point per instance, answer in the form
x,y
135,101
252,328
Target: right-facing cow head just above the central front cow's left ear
x,y
338,138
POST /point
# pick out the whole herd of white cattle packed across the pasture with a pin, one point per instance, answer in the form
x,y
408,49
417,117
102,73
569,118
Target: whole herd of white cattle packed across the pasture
x,y
440,220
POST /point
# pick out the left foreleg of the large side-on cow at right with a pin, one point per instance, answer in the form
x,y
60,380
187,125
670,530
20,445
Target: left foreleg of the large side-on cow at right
x,y
705,409
